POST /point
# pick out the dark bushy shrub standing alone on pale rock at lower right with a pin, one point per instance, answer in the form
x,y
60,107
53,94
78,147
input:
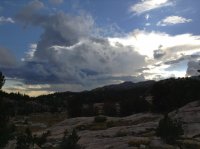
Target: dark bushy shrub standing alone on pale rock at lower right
x,y
169,130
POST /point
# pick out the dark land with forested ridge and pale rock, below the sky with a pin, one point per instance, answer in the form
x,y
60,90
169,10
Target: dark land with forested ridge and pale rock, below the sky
x,y
132,114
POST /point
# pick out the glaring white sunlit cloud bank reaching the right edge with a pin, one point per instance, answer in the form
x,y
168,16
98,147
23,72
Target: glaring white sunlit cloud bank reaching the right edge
x,y
146,42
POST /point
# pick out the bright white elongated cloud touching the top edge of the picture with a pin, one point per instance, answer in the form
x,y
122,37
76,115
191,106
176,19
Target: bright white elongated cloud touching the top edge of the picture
x,y
149,5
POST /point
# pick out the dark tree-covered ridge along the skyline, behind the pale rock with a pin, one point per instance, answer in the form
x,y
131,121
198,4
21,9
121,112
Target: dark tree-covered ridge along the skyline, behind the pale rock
x,y
168,95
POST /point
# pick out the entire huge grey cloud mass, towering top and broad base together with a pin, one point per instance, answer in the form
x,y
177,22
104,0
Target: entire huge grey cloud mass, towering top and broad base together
x,y
71,51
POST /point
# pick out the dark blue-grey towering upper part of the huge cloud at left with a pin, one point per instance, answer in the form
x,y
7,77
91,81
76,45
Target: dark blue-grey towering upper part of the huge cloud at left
x,y
63,30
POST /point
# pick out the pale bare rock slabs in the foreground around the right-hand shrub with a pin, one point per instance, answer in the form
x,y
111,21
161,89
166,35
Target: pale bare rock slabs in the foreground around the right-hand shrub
x,y
137,127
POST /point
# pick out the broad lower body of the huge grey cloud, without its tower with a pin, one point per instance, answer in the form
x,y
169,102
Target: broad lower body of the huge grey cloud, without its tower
x,y
83,63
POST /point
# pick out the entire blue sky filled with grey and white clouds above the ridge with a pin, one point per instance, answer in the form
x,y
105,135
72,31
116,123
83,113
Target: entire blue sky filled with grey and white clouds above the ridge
x,y
51,46
